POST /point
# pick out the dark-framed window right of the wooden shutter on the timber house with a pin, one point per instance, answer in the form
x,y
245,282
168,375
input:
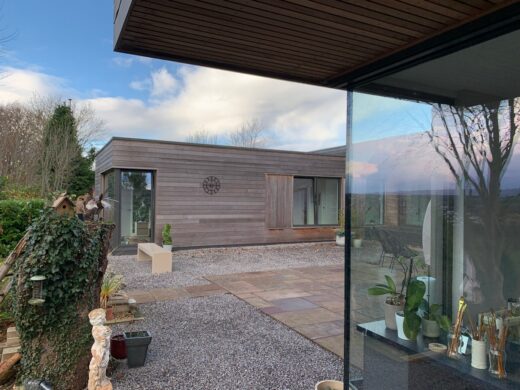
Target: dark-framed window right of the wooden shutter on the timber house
x,y
315,201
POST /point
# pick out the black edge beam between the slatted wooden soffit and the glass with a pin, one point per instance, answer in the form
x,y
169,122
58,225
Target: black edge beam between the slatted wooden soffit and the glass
x,y
489,26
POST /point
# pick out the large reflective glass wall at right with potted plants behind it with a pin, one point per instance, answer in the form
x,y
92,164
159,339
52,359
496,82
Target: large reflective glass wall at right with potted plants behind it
x,y
435,290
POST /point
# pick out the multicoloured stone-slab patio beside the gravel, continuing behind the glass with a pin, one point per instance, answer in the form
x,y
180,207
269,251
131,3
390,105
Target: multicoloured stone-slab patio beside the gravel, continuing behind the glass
x,y
310,300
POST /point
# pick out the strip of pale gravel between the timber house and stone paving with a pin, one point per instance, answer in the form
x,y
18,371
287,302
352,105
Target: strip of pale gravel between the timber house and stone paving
x,y
191,265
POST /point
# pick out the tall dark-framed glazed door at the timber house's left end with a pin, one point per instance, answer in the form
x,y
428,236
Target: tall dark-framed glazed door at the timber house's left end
x,y
136,210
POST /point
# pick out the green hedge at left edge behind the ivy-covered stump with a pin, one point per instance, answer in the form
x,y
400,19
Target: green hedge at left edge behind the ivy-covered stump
x,y
15,218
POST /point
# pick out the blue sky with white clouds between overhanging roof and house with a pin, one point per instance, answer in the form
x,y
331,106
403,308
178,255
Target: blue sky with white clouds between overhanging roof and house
x,y
63,48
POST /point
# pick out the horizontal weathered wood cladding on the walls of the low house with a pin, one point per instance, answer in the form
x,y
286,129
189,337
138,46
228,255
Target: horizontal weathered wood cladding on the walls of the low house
x,y
236,214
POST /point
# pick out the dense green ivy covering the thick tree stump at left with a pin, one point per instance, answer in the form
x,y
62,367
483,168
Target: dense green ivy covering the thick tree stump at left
x,y
56,336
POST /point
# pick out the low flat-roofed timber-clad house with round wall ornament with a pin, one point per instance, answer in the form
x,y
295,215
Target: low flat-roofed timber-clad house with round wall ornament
x,y
218,195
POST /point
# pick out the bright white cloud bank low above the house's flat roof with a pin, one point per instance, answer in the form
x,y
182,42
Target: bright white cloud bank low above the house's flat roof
x,y
296,116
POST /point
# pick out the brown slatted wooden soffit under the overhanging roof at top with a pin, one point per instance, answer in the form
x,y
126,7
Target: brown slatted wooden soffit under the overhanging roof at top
x,y
312,41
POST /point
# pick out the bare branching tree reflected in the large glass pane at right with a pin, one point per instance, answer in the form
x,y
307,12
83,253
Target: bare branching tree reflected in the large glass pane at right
x,y
477,143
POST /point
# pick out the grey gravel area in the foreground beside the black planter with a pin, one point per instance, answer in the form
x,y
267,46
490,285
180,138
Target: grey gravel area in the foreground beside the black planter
x,y
221,342
